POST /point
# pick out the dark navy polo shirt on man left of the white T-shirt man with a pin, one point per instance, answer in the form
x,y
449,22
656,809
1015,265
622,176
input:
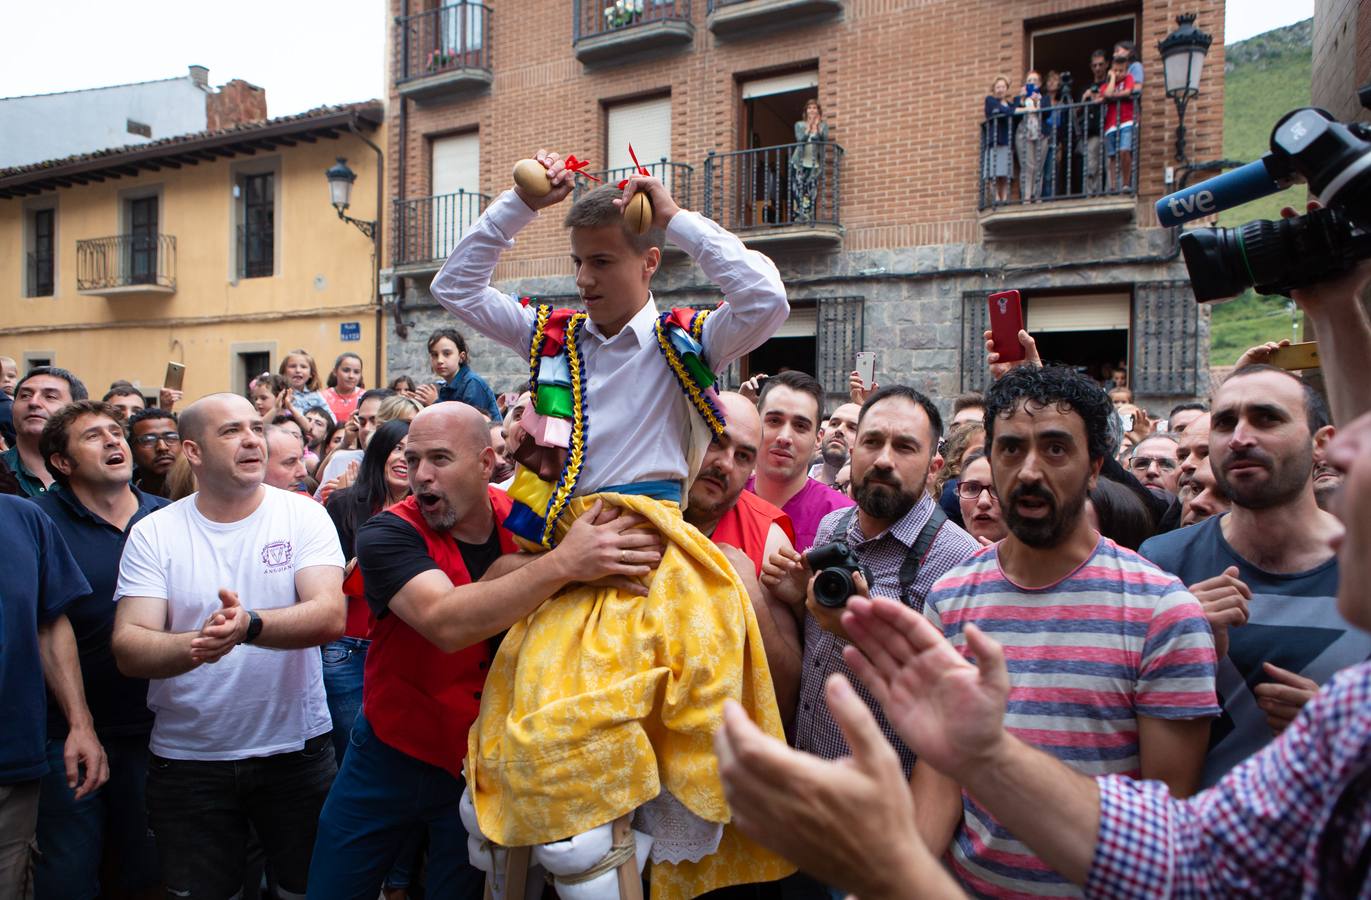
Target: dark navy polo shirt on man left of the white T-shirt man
x,y
119,703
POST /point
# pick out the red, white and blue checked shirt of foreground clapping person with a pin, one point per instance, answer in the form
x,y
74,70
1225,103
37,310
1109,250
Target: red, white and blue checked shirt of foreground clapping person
x,y
1292,821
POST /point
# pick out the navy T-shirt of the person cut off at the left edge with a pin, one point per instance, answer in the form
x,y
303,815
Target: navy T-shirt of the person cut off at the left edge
x,y
38,582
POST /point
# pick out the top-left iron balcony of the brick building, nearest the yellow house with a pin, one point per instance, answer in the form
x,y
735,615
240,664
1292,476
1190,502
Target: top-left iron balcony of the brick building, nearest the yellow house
x,y
444,53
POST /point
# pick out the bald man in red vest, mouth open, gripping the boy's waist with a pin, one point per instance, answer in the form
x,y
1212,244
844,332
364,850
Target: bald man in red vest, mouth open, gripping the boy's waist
x,y
437,629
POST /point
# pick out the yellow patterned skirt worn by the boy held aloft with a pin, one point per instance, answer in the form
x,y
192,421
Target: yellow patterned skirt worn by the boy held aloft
x,y
598,700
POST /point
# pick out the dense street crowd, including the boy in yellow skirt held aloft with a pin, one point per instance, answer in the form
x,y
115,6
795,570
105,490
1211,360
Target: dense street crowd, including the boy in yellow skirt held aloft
x,y
323,640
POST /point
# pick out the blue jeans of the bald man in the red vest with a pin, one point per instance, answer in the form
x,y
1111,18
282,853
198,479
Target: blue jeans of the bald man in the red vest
x,y
379,799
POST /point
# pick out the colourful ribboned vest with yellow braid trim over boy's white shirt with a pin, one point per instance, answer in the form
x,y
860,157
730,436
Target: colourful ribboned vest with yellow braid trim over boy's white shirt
x,y
557,378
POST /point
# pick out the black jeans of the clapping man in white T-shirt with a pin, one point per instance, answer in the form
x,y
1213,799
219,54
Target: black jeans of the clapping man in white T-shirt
x,y
201,810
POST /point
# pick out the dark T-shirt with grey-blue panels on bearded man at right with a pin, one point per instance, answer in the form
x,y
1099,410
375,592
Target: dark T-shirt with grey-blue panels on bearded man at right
x,y
1294,622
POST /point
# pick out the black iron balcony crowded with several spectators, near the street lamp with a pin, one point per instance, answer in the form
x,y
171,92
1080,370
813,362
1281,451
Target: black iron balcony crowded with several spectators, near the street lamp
x,y
1067,167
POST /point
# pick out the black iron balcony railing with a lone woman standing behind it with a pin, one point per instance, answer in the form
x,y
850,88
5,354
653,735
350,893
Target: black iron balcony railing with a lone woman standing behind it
x,y
788,187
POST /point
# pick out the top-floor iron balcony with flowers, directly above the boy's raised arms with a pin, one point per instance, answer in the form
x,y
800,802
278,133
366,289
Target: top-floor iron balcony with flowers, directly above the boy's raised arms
x,y
607,32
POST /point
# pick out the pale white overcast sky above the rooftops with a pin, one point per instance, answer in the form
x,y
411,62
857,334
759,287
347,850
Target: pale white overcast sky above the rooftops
x,y
304,54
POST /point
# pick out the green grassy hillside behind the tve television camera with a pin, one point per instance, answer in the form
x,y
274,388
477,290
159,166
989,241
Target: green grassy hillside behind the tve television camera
x,y
1266,78
